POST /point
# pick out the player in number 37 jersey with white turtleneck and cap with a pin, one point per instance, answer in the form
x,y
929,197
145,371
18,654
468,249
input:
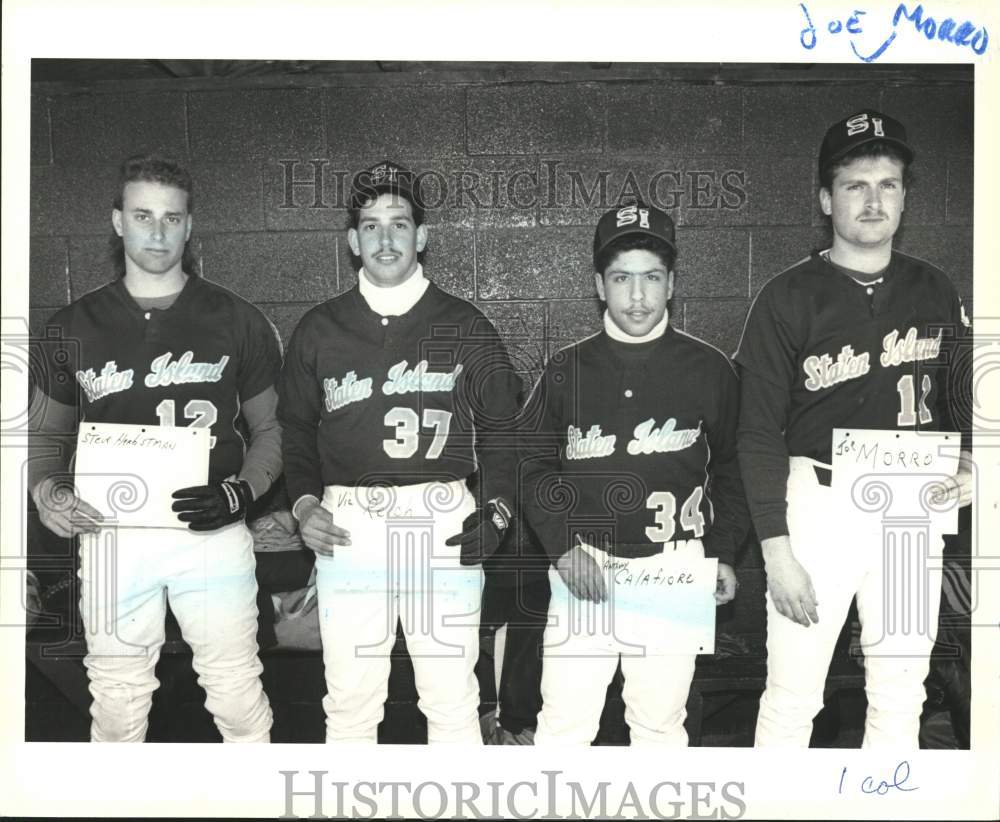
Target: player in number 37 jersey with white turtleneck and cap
x,y
393,395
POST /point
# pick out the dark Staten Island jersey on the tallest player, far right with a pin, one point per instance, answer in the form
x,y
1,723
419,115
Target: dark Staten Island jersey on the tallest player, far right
x,y
821,351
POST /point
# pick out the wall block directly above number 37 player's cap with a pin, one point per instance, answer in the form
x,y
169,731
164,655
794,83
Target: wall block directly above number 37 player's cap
x,y
397,122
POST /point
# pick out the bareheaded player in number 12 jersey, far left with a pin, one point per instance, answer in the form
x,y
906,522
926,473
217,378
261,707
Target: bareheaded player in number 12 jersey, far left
x,y
162,346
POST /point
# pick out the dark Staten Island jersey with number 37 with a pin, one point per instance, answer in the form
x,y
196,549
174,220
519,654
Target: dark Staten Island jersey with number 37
x,y
365,399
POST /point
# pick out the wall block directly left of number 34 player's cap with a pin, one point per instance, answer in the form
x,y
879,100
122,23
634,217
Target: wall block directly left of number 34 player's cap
x,y
534,264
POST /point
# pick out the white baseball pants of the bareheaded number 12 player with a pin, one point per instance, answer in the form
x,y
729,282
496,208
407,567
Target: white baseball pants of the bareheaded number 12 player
x,y
127,576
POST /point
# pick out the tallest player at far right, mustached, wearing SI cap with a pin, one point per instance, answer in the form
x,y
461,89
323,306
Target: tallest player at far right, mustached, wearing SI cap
x,y
855,336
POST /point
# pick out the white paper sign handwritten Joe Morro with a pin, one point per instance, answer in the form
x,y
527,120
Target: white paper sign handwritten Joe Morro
x,y
881,476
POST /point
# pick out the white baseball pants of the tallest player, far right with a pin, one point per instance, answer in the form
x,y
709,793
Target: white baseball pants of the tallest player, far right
x,y
898,597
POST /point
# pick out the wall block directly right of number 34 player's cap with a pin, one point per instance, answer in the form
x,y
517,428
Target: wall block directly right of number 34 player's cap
x,y
712,262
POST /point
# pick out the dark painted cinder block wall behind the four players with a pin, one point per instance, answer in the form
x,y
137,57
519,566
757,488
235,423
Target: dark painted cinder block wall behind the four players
x,y
515,163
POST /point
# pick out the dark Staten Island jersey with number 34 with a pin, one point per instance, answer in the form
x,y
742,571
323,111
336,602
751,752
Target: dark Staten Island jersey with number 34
x,y
629,445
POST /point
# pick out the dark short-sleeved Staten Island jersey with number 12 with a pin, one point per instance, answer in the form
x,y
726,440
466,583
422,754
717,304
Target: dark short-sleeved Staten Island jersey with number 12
x,y
189,364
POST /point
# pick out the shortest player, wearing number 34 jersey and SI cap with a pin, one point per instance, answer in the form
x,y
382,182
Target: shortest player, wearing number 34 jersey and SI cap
x,y
635,427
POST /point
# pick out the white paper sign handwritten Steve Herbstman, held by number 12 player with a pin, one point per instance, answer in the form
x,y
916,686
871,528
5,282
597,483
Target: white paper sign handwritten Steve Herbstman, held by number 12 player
x,y
128,472
